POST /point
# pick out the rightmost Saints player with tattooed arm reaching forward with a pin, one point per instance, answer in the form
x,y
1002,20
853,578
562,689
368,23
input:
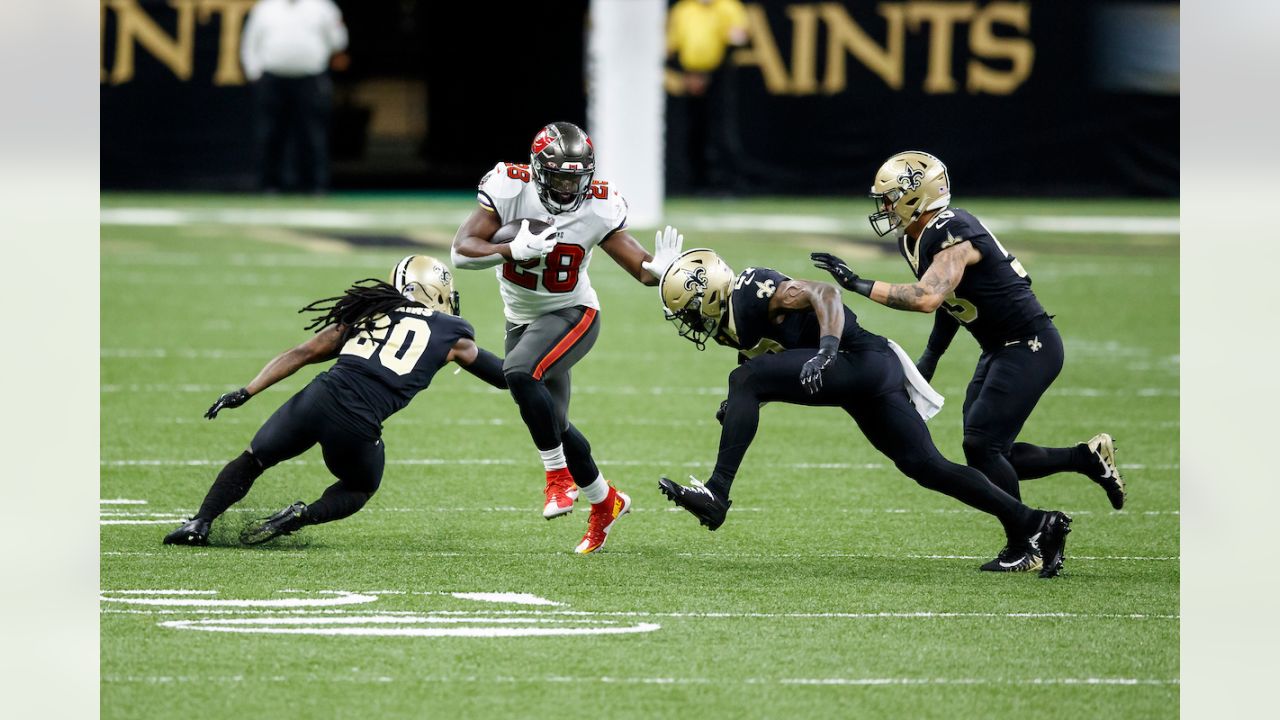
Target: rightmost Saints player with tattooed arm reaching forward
x,y
963,270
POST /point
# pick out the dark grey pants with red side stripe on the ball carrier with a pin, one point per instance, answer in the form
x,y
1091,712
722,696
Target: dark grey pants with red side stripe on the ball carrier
x,y
537,367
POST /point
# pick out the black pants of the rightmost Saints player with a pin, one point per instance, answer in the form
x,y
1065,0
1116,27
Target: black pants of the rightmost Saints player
x,y
1005,389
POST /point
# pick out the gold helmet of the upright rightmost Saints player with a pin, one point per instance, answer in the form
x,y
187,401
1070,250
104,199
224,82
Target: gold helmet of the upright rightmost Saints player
x,y
907,186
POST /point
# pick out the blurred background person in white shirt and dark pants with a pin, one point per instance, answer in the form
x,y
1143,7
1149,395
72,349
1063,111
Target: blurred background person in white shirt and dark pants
x,y
286,51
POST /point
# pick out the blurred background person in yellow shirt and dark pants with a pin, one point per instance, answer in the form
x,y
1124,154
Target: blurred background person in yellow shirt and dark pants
x,y
700,34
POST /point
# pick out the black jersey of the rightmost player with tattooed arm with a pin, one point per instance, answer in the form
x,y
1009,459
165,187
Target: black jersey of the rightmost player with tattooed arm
x,y
995,299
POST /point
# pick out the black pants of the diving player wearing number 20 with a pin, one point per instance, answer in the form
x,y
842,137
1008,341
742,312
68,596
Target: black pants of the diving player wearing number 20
x,y
305,421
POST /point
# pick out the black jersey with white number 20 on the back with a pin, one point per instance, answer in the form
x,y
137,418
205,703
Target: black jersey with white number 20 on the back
x,y
380,373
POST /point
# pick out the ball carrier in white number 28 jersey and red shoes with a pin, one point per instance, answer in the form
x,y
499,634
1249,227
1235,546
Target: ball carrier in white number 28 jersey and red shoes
x,y
552,312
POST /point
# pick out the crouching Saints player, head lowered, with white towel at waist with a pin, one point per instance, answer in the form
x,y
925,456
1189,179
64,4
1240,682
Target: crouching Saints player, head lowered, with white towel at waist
x,y
799,344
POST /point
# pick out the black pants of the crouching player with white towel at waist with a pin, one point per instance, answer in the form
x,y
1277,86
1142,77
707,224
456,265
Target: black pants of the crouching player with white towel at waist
x,y
870,386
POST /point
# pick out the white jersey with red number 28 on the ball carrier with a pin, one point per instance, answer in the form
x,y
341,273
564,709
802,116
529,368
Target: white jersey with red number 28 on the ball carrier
x,y
560,280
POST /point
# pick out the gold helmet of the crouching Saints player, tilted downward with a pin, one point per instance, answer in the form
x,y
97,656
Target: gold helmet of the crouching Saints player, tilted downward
x,y
696,294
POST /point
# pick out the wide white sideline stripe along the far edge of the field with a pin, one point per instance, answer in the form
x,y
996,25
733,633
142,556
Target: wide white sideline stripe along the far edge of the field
x,y
728,222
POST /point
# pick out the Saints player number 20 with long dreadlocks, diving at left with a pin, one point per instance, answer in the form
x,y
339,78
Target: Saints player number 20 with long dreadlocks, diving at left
x,y
390,341
